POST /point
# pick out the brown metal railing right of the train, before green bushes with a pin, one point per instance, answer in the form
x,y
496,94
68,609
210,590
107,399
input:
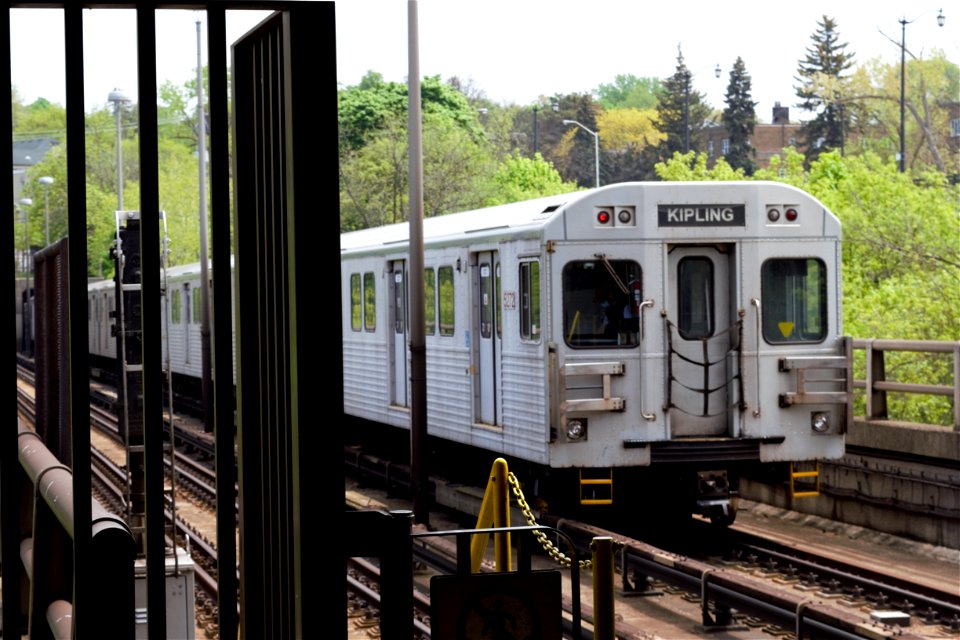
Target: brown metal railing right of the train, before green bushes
x,y
876,384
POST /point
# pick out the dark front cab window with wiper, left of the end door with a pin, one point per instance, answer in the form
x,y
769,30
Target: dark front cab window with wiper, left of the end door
x,y
599,305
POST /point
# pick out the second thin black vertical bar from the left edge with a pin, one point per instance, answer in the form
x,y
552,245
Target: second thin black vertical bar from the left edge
x,y
84,575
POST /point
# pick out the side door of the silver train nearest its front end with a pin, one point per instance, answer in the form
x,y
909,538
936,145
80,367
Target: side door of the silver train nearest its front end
x,y
488,332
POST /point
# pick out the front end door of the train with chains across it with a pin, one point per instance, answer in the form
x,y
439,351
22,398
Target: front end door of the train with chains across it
x,y
702,335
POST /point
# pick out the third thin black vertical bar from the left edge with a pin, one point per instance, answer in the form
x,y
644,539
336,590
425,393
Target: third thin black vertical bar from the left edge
x,y
151,313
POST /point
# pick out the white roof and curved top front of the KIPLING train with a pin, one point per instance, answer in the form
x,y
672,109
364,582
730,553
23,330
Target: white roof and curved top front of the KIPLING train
x,y
531,218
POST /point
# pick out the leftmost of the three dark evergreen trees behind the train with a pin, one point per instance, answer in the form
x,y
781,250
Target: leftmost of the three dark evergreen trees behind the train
x,y
681,113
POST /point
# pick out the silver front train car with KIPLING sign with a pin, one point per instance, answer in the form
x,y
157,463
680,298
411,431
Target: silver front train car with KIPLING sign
x,y
639,343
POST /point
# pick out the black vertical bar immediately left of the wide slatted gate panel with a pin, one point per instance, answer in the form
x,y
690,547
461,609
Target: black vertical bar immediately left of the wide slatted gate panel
x,y
222,347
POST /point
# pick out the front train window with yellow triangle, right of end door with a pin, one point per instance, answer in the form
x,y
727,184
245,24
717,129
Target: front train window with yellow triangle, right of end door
x,y
794,295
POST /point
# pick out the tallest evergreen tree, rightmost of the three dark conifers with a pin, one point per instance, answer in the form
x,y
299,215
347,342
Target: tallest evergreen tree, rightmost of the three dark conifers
x,y
821,80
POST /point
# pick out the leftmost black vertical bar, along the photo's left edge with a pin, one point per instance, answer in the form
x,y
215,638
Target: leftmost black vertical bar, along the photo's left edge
x,y
9,466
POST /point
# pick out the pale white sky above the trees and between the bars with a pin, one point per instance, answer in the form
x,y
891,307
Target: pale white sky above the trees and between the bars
x,y
517,50
